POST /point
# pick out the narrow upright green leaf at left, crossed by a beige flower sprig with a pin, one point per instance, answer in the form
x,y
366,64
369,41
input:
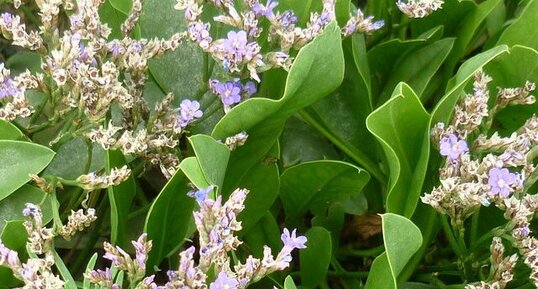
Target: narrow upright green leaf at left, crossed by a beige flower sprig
x,y
120,197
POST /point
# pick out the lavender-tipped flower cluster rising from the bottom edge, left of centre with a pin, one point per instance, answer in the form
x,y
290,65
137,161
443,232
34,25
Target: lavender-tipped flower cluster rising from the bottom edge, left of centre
x,y
216,223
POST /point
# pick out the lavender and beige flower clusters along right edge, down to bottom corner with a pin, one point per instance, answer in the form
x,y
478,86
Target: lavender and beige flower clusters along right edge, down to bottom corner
x,y
482,169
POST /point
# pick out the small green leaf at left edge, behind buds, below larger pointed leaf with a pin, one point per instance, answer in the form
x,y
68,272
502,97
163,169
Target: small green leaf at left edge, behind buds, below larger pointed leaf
x,y
12,206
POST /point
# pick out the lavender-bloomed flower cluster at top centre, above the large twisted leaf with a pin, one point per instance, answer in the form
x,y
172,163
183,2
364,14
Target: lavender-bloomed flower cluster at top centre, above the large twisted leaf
x,y
240,53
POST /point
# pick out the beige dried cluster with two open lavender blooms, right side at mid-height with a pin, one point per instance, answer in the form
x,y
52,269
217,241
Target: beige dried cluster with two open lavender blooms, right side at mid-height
x,y
468,182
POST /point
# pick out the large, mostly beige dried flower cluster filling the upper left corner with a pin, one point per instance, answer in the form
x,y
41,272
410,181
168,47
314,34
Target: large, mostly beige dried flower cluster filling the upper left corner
x,y
86,77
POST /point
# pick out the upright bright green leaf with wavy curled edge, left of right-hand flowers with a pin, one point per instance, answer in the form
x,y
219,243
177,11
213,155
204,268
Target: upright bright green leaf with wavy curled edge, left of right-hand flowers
x,y
400,125
